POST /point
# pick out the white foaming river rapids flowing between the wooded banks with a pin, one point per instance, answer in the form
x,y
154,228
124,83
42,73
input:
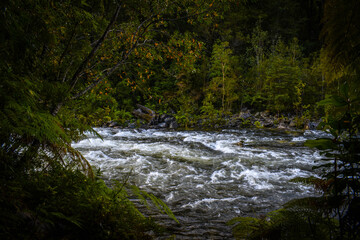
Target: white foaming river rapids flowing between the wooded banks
x,y
207,178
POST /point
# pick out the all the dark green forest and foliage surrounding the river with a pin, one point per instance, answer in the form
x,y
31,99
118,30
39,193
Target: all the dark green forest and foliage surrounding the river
x,y
70,65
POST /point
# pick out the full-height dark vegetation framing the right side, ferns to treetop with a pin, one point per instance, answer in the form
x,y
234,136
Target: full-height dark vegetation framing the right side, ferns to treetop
x,y
335,213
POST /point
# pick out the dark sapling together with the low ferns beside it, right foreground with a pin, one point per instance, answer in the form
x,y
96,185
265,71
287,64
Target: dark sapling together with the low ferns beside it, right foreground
x,y
334,215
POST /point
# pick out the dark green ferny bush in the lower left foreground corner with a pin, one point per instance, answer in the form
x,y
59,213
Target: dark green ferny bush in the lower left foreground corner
x,y
62,203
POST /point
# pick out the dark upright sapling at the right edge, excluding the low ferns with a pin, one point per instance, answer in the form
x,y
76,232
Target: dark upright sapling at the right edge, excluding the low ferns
x,y
340,182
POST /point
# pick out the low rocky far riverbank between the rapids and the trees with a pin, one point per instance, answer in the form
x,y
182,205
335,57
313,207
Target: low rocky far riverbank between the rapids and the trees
x,y
245,119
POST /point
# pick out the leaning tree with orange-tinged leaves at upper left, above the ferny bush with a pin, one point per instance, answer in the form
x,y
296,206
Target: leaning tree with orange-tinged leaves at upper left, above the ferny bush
x,y
54,53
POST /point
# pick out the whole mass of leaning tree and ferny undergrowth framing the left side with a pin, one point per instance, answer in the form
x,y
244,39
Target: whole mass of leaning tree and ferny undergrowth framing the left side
x,y
56,58
